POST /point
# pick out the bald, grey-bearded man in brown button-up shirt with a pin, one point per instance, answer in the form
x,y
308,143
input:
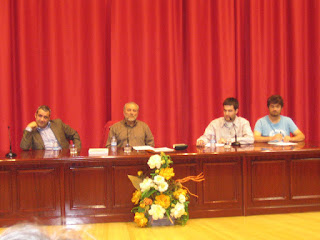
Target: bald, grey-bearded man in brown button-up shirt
x,y
130,130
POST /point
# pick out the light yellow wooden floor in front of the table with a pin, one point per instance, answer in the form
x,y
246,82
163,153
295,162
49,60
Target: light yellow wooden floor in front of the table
x,y
277,226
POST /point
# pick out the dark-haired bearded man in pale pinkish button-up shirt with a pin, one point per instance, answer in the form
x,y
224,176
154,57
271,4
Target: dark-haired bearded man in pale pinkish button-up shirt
x,y
223,128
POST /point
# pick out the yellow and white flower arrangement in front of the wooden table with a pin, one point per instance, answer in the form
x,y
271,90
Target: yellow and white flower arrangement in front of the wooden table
x,y
159,196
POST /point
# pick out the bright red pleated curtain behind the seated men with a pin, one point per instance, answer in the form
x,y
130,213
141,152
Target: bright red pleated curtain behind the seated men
x,y
178,59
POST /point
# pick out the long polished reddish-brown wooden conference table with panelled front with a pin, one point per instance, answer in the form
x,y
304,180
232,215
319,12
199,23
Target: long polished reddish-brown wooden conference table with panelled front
x,y
56,188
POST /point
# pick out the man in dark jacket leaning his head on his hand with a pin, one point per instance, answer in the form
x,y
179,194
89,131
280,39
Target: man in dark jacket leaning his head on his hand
x,y
44,133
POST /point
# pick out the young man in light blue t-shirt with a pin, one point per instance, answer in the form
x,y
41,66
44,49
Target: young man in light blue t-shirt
x,y
275,127
